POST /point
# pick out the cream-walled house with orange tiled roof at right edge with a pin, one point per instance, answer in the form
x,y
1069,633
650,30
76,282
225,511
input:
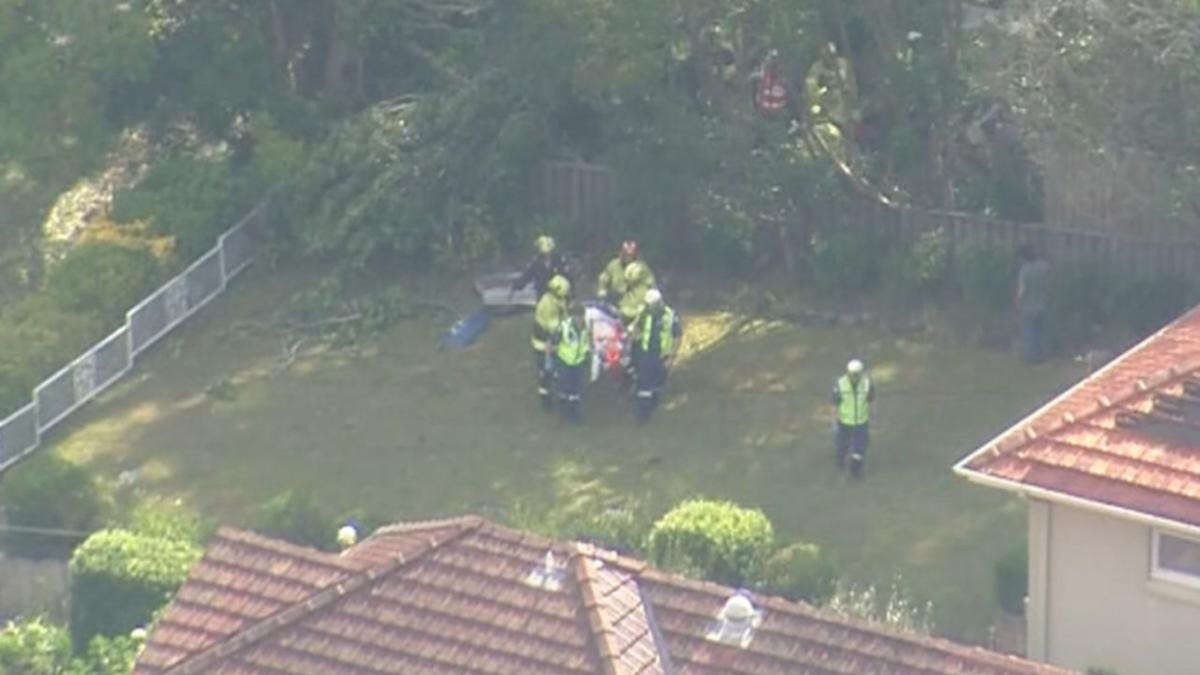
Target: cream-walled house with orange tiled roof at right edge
x,y
1112,475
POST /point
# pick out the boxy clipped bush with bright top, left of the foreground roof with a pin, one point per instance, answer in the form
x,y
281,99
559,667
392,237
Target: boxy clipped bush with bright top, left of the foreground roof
x,y
121,578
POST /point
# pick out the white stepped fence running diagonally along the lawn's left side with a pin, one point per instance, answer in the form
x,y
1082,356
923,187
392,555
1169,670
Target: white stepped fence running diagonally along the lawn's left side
x,y
111,359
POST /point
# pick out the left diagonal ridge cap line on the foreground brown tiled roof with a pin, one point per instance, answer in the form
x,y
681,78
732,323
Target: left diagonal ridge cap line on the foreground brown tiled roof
x,y
296,612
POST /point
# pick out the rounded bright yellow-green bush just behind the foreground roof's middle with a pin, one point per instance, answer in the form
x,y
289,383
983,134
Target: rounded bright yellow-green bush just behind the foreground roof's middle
x,y
716,540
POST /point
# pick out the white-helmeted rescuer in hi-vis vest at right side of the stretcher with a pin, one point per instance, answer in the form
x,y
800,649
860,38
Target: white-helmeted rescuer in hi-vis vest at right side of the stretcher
x,y
656,337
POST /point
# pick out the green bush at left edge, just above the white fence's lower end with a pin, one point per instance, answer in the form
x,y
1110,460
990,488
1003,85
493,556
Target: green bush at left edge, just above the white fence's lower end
x,y
37,339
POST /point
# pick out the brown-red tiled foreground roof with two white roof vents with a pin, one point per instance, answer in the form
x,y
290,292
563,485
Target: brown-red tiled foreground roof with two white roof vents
x,y
469,596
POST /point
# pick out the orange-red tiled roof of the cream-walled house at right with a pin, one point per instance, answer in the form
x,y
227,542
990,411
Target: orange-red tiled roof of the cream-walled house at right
x,y
1127,437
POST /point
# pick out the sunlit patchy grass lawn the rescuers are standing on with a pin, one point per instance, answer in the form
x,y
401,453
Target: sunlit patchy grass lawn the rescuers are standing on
x,y
410,432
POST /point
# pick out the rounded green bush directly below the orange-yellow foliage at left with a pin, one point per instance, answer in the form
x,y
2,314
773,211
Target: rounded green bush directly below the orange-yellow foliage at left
x,y
104,279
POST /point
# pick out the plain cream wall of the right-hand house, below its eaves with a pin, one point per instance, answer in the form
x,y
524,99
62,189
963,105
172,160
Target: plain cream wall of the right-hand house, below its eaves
x,y
1101,608
